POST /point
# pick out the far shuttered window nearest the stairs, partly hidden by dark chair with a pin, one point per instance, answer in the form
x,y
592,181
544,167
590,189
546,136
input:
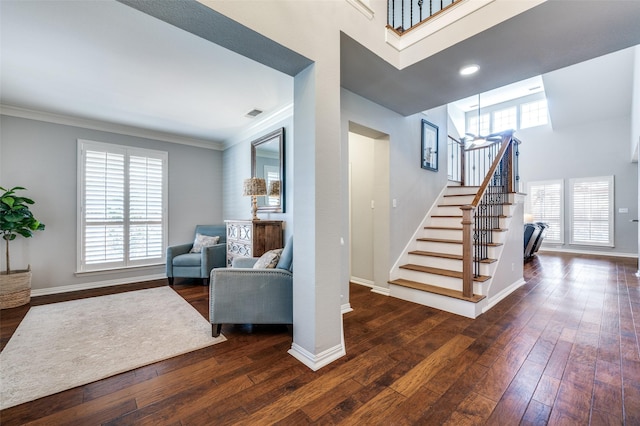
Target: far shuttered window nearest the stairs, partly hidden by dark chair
x,y
545,201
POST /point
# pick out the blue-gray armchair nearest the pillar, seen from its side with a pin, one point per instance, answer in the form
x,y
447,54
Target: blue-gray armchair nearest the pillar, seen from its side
x,y
244,295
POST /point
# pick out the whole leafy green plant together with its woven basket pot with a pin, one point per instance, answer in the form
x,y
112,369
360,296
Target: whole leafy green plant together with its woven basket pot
x,y
15,219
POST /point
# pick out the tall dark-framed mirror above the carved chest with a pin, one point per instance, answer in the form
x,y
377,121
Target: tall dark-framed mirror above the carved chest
x,y
267,162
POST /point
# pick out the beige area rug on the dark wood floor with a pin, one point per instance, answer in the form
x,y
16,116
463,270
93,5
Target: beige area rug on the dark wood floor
x,y
63,345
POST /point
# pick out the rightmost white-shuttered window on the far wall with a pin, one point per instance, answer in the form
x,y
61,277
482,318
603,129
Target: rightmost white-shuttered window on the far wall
x,y
592,211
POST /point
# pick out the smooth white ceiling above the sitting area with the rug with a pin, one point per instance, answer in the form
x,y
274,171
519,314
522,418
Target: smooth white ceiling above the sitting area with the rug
x,y
106,61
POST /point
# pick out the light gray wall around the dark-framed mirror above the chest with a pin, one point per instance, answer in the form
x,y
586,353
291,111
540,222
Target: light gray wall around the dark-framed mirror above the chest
x,y
237,167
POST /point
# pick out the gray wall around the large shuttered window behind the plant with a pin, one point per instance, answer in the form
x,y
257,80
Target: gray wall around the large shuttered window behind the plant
x,y
41,156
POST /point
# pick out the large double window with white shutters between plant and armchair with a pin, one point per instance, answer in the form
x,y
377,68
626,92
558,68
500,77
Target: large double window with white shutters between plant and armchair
x,y
122,197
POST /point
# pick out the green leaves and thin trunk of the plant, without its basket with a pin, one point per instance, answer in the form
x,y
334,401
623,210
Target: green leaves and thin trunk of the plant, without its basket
x,y
16,218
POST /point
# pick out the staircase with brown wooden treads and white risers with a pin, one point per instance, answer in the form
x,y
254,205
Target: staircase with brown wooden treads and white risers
x,y
430,272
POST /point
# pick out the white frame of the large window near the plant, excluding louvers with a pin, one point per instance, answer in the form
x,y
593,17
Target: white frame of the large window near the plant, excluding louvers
x,y
127,262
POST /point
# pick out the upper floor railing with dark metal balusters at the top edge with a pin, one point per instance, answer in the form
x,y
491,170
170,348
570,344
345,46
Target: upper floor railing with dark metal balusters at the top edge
x,y
403,15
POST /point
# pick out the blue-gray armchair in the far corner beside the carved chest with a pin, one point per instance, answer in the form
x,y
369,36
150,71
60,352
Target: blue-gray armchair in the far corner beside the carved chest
x,y
182,263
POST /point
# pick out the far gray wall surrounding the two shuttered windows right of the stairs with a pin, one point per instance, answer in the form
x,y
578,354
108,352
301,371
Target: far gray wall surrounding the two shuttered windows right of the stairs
x,y
593,149
